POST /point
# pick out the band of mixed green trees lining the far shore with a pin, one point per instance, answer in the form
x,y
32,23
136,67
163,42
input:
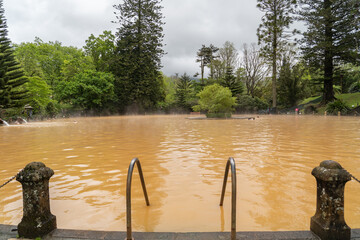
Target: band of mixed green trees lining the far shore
x,y
119,73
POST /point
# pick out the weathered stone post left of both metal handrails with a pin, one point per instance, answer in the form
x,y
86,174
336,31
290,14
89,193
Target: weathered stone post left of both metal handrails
x,y
37,219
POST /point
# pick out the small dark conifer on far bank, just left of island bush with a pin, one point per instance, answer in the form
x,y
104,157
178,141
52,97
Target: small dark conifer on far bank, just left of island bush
x,y
184,90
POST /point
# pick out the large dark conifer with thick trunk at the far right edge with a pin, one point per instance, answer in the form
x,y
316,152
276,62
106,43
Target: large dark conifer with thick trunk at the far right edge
x,y
331,36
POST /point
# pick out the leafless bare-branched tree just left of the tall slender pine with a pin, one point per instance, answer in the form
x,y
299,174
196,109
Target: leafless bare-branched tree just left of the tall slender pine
x,y
255,69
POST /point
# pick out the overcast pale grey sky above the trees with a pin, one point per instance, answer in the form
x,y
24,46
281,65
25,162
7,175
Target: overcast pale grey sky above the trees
x,y
189,24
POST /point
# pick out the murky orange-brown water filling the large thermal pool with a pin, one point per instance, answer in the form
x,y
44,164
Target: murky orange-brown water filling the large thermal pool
x,y
183,163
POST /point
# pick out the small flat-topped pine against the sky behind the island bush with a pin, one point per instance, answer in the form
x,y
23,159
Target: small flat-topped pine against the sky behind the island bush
x,y
205,56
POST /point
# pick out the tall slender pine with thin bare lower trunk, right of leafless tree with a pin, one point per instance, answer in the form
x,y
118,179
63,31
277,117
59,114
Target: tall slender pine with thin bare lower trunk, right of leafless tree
x,y
272,32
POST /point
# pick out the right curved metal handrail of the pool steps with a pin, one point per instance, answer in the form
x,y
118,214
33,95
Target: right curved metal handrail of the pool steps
x,y
231,162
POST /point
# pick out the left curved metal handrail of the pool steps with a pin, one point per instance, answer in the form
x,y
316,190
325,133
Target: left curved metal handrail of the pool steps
x,y
128,195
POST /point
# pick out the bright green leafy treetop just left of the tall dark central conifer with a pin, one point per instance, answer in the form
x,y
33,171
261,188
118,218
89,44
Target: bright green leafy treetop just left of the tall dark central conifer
x,y
101,49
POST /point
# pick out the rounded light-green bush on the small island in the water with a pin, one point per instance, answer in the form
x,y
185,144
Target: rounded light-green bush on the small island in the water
x,y
215,99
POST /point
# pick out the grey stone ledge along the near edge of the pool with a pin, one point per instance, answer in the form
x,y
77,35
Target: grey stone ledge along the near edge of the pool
x,y
63,234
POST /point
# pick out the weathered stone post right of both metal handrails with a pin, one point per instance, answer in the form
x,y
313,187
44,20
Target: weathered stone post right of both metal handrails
x,y
328,222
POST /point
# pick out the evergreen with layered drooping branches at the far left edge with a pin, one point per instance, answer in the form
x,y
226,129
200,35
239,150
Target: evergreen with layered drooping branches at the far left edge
x,y
11,74
